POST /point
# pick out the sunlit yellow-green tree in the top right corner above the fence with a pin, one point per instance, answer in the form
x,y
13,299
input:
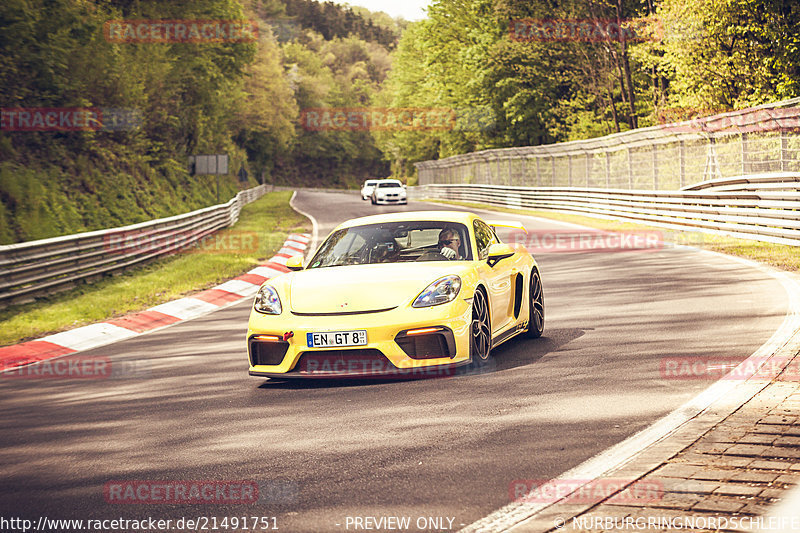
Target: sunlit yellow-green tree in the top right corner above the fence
x,y
726,54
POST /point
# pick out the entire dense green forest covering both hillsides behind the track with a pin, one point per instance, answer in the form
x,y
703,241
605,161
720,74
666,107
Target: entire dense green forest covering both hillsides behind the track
x,y
490,64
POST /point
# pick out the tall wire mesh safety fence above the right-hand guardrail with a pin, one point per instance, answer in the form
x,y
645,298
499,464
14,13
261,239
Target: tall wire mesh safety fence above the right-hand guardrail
x,y
666,157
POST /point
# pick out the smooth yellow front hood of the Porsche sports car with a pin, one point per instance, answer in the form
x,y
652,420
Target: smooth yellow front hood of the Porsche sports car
x,y
363,288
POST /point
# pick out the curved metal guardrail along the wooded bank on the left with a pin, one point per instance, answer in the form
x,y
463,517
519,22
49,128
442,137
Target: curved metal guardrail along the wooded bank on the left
x,y
30,269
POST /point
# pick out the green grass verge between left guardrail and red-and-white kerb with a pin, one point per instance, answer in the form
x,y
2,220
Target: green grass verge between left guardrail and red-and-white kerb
x,y
261,230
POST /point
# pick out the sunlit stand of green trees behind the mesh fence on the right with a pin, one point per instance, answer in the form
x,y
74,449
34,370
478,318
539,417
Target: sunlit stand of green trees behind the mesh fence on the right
x,y
678,59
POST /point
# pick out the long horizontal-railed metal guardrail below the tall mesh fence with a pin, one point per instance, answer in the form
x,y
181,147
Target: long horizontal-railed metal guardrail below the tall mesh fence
x,y
755,215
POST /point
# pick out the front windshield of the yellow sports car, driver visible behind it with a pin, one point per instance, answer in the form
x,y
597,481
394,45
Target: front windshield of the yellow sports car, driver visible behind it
x,y
392,242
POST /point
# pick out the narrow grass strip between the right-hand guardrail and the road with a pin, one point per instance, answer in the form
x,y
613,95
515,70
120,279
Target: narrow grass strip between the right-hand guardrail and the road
x,y
780,256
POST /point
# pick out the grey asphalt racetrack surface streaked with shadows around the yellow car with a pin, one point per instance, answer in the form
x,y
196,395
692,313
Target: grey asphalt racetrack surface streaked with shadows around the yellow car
x,y
326,451
